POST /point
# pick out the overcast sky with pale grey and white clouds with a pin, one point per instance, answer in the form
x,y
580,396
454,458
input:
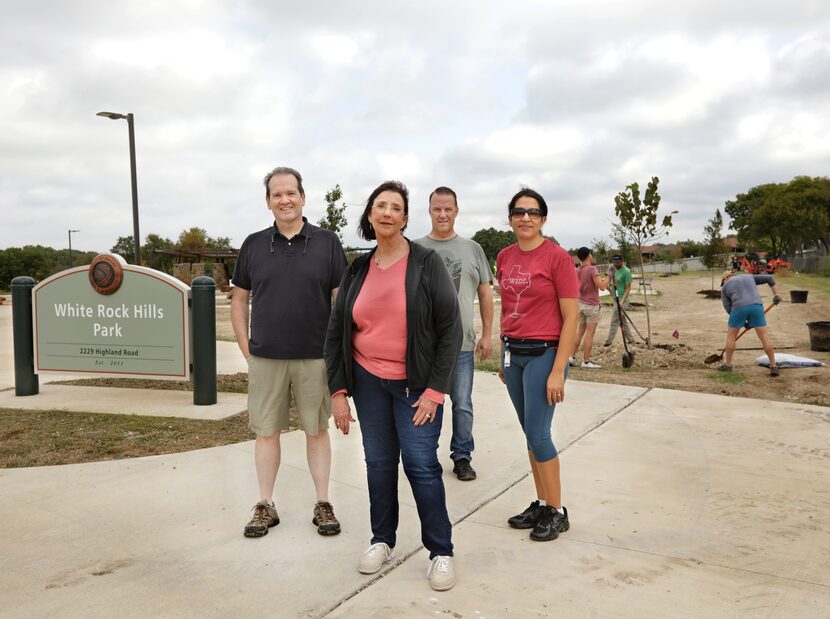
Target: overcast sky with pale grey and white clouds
x,y
573,98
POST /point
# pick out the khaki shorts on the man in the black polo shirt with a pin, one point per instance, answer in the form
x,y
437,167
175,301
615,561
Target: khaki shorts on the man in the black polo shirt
x,y
270,384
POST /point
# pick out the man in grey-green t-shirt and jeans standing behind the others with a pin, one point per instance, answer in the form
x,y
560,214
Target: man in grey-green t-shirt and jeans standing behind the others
x,y
470,272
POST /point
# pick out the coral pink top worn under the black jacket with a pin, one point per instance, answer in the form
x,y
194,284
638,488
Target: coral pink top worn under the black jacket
x,y
379,317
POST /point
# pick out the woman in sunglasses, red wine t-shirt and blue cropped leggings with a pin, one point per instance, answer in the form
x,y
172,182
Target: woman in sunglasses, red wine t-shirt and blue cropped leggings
x,y
539,313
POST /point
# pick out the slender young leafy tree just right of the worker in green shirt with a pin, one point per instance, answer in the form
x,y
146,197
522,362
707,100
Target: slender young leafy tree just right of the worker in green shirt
x,y
638,221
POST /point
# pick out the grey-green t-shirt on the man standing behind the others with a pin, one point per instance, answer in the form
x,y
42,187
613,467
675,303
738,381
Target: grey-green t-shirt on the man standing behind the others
x,y
468,268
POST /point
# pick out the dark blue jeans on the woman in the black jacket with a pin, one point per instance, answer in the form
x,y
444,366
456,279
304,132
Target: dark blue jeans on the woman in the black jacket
x,y
384,410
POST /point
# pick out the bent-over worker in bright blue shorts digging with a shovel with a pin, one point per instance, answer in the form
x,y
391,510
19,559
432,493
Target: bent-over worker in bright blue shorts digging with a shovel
x,y
742,302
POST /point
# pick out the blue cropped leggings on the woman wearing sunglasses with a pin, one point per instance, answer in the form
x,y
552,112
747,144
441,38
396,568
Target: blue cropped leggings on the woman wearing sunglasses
x,y
526,380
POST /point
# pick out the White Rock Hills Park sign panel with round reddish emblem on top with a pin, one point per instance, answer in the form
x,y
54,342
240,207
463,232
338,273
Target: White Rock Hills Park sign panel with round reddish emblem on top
x,y
112,318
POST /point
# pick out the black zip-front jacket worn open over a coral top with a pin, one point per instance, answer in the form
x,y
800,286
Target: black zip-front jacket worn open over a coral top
x,y
433,323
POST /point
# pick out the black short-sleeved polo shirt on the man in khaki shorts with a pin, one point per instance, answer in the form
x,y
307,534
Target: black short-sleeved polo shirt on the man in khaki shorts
x,y
291,282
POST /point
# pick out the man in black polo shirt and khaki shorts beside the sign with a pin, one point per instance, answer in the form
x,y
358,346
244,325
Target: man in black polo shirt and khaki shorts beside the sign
x,y
288,273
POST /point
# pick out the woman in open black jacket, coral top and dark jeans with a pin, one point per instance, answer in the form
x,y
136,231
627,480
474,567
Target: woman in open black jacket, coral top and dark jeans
x,y
392,343
